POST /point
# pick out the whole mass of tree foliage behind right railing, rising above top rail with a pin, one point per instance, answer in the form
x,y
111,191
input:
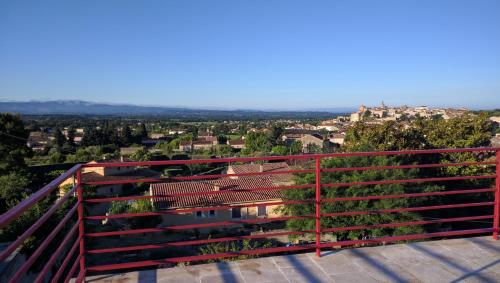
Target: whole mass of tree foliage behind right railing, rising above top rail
x,y
466,131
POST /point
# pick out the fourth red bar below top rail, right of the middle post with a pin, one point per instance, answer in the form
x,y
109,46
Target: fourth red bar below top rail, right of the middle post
x,y
408,209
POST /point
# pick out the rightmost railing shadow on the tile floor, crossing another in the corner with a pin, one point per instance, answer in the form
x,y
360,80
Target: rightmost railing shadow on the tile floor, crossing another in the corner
x,y
468,272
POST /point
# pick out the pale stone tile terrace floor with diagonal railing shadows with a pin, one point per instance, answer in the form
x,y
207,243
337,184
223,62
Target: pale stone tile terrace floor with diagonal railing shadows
x,y
456,260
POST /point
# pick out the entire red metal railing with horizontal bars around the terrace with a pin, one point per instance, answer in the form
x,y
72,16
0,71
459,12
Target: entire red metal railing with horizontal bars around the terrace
x,y
73,251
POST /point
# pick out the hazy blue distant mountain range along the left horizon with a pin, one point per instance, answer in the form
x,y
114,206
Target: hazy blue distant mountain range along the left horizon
x,y
78,107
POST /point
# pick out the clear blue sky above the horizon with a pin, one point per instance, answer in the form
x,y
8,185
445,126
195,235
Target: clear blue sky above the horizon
x,y
253,54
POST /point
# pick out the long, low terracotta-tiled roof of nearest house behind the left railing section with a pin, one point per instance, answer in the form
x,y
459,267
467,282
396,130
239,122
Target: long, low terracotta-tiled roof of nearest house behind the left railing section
x,y
224,185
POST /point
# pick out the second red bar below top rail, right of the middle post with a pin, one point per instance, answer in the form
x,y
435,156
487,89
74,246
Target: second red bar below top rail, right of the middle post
x,y
418,180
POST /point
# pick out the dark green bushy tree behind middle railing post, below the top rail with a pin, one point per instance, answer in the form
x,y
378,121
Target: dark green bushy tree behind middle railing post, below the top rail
x,y
359,191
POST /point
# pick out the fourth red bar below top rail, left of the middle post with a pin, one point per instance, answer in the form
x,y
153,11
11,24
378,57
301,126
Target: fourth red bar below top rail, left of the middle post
x,y
193,226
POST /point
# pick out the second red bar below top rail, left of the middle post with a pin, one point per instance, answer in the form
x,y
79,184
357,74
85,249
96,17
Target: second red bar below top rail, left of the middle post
x,y
222,192
